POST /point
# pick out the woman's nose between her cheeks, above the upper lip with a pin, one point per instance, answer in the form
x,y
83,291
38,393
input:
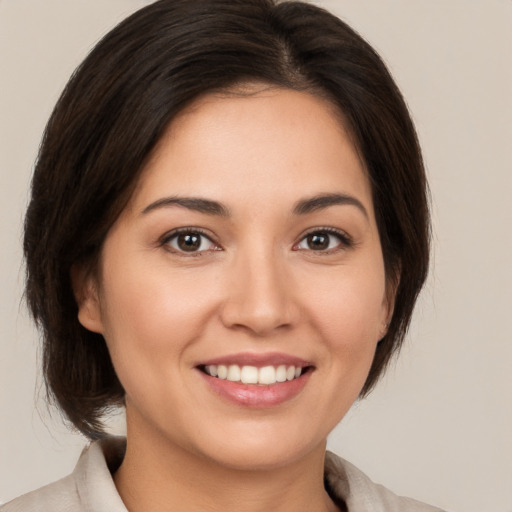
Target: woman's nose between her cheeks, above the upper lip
x,y
259,296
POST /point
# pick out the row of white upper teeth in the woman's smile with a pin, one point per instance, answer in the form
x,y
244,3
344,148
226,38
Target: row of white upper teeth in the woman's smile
x,y
252,375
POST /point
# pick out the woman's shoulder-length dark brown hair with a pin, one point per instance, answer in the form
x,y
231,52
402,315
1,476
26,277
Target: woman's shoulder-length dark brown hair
x,y
116,107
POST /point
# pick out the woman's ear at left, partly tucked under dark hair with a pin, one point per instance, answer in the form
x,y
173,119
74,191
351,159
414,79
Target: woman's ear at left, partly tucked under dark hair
x,y
85,289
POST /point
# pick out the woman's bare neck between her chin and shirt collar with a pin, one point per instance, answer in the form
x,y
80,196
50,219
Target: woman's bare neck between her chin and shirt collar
x,y
160,476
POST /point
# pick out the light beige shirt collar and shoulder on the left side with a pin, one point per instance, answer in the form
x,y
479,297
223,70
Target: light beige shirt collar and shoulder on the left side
x,y
89,487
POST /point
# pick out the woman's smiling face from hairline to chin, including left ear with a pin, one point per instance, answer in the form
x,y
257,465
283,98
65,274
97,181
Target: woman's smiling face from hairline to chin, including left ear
x,y
242,292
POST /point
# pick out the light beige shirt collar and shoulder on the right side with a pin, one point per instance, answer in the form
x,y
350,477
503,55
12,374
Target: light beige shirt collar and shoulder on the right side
x,y
360,494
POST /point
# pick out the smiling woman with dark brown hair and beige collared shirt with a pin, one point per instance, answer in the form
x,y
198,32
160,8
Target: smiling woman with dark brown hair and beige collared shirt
x,y
227,233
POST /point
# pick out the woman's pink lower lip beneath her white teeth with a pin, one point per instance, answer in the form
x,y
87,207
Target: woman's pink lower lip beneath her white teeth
x,y
257,396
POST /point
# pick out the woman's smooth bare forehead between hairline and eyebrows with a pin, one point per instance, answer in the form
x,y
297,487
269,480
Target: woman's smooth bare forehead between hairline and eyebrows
x,y
273,143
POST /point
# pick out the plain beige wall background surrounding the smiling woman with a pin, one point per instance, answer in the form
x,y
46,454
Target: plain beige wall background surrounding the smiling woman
x,y
439,427
